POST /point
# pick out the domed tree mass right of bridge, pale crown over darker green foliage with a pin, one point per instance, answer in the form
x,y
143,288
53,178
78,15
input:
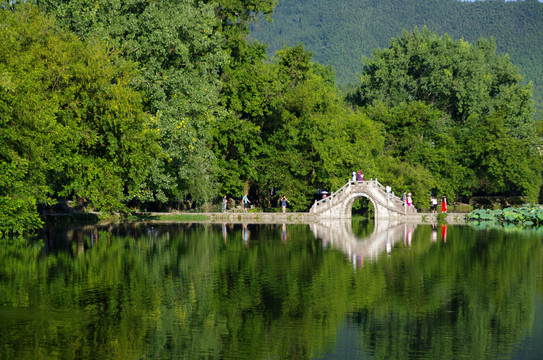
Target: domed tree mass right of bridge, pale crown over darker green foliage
x,y
457,110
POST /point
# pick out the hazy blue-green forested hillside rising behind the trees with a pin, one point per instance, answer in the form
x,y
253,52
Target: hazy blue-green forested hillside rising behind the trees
x,y
341,32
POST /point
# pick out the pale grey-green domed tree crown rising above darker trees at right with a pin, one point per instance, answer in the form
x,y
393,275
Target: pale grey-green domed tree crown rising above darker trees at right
x,y
454,76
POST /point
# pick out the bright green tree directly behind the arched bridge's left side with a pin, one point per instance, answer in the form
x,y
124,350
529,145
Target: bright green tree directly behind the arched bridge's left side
x,y
316,141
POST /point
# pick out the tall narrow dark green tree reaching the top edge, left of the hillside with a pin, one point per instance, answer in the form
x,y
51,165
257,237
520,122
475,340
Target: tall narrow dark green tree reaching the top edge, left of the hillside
x,y
249,93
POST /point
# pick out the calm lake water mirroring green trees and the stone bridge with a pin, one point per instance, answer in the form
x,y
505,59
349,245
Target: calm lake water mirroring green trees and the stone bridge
x,y
329,291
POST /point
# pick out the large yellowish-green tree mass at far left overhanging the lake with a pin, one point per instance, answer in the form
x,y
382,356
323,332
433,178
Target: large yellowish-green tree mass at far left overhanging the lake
x,y
70,123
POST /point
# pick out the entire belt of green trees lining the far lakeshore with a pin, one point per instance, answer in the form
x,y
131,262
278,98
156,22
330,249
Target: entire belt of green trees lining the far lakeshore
x,y
430,114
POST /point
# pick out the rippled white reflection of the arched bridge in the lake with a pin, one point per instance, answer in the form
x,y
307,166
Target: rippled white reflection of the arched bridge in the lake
x,y
339,235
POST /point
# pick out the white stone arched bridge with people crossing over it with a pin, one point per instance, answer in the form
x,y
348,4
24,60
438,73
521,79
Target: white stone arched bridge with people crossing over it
x,y
339,204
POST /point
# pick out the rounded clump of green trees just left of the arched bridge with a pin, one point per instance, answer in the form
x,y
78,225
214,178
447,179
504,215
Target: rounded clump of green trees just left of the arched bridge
x,y
289,132
